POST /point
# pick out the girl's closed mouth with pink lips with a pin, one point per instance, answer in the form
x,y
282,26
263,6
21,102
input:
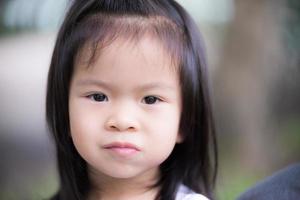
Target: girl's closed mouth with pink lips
x,y
122,149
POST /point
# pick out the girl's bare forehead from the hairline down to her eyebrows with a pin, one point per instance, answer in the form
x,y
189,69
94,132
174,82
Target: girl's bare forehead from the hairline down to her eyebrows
x,y
128,63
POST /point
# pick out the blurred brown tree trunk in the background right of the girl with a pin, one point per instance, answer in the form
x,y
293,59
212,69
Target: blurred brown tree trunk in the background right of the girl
x,y
252,52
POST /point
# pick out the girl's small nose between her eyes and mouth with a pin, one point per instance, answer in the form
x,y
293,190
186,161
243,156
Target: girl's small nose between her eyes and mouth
x,y
122,120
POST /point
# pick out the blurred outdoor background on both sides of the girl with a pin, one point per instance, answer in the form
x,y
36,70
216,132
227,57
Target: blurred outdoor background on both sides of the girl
x,y
253,52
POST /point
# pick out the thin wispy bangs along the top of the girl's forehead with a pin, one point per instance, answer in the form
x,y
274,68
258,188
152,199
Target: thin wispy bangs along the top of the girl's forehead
x,y
96,32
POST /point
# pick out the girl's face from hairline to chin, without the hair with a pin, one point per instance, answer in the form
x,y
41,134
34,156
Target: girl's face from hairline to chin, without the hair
x,y
125,109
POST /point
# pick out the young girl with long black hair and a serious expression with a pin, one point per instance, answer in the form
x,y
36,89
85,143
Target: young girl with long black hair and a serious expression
x,y
128,103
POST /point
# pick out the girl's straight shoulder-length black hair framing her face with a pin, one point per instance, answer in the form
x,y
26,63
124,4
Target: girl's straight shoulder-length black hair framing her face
x,y
99,22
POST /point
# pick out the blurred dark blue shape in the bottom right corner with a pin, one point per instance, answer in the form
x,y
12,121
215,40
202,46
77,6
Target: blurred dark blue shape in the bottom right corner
x,y
285,184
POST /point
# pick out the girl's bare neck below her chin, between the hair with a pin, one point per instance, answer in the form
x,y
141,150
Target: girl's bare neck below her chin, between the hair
x,y
136,188
